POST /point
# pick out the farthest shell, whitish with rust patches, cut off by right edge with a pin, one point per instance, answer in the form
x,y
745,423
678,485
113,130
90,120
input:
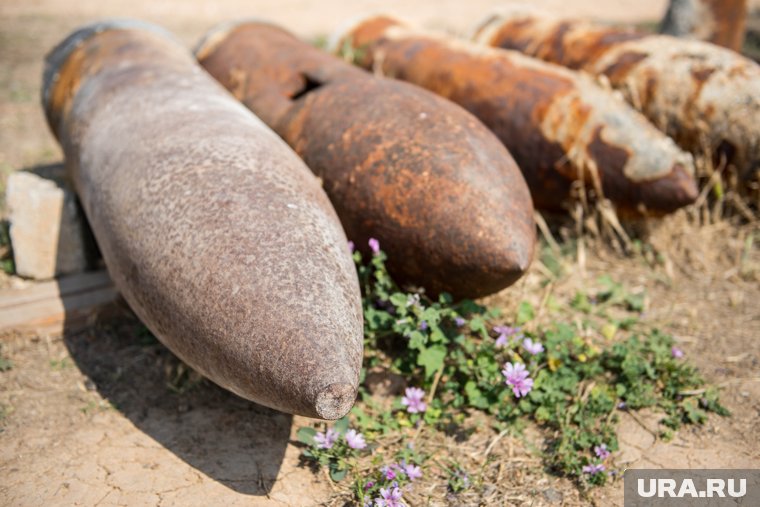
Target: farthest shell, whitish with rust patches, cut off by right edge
x,y
706,97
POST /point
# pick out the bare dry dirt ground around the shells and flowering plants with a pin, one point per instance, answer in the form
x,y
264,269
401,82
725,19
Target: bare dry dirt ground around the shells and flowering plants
x,y
108,417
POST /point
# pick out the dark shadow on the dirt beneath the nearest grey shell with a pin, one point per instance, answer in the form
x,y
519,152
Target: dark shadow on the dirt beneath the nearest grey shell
x,y
231,440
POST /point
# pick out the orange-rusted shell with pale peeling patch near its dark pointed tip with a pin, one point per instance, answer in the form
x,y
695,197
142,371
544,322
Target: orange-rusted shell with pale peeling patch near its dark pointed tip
x,y
560,126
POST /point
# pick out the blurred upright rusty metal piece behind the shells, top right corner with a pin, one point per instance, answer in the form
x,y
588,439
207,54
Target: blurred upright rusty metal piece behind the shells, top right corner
x,y
721,22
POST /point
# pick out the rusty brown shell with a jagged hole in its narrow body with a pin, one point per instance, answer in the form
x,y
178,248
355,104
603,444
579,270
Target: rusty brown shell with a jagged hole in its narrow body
x,y
400,164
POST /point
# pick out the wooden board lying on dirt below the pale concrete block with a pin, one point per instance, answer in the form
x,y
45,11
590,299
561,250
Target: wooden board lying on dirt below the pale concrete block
x,y
65,304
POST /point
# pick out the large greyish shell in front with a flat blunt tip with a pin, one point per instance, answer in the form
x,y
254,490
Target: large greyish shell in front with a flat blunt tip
x,y
215,232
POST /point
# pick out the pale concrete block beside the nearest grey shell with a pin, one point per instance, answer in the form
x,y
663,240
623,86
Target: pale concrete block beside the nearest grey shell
x,y
48,232
